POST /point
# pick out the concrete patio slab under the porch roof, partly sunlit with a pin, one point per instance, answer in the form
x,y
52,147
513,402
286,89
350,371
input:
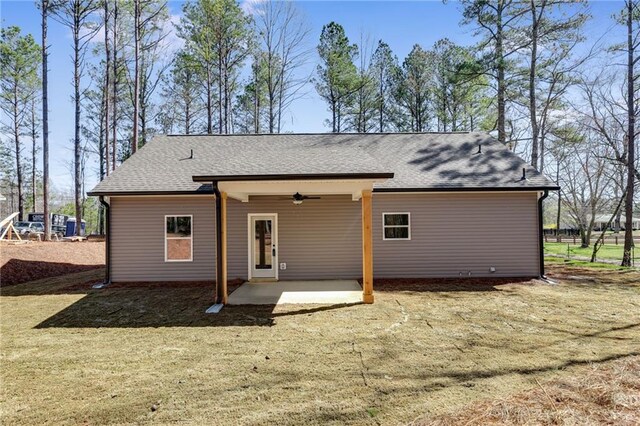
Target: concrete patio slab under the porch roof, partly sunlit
x,y
294,292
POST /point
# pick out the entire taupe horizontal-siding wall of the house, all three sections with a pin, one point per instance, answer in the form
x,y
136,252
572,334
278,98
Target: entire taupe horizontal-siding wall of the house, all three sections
x,y
451,233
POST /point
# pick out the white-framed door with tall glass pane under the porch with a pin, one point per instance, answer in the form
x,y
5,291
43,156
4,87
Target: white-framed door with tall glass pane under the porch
x,y
263,238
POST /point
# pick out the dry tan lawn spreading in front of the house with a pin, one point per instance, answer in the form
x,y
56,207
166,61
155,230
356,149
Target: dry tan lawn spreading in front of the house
x,y
144,354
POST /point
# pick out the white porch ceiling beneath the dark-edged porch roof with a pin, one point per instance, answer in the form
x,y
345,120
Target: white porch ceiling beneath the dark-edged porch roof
x,y
242,190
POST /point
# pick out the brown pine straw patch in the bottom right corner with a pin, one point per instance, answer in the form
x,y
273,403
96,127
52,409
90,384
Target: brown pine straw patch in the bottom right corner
x,y
599,395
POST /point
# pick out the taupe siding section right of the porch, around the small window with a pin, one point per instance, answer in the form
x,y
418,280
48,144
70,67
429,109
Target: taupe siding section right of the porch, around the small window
x,y
458,233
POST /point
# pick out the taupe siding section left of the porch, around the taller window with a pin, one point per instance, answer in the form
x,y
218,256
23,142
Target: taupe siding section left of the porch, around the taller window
x,y
137,238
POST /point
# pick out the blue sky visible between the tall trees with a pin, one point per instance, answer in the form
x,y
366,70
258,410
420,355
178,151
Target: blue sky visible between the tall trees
x,y
401,24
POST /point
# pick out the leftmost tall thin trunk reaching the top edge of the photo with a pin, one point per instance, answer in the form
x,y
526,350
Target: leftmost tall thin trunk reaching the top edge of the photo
x,y
45,124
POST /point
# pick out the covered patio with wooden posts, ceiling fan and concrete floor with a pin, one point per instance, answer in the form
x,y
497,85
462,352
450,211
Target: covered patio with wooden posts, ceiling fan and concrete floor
x,y
242,189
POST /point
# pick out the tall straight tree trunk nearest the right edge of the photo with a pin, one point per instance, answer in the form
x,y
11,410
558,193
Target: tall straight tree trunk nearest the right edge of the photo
x,y
631,118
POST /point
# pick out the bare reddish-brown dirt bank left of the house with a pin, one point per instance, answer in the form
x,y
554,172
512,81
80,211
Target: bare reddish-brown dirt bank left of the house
x,y
21,263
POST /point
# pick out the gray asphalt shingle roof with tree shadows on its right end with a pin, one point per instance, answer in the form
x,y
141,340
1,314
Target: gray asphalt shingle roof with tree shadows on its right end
x,y
425,161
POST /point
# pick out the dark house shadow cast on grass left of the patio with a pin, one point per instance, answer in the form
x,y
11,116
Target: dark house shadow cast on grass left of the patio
x,y
179,306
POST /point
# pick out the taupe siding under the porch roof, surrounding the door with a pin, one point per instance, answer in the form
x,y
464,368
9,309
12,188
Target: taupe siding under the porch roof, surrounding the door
x,y
319,239
